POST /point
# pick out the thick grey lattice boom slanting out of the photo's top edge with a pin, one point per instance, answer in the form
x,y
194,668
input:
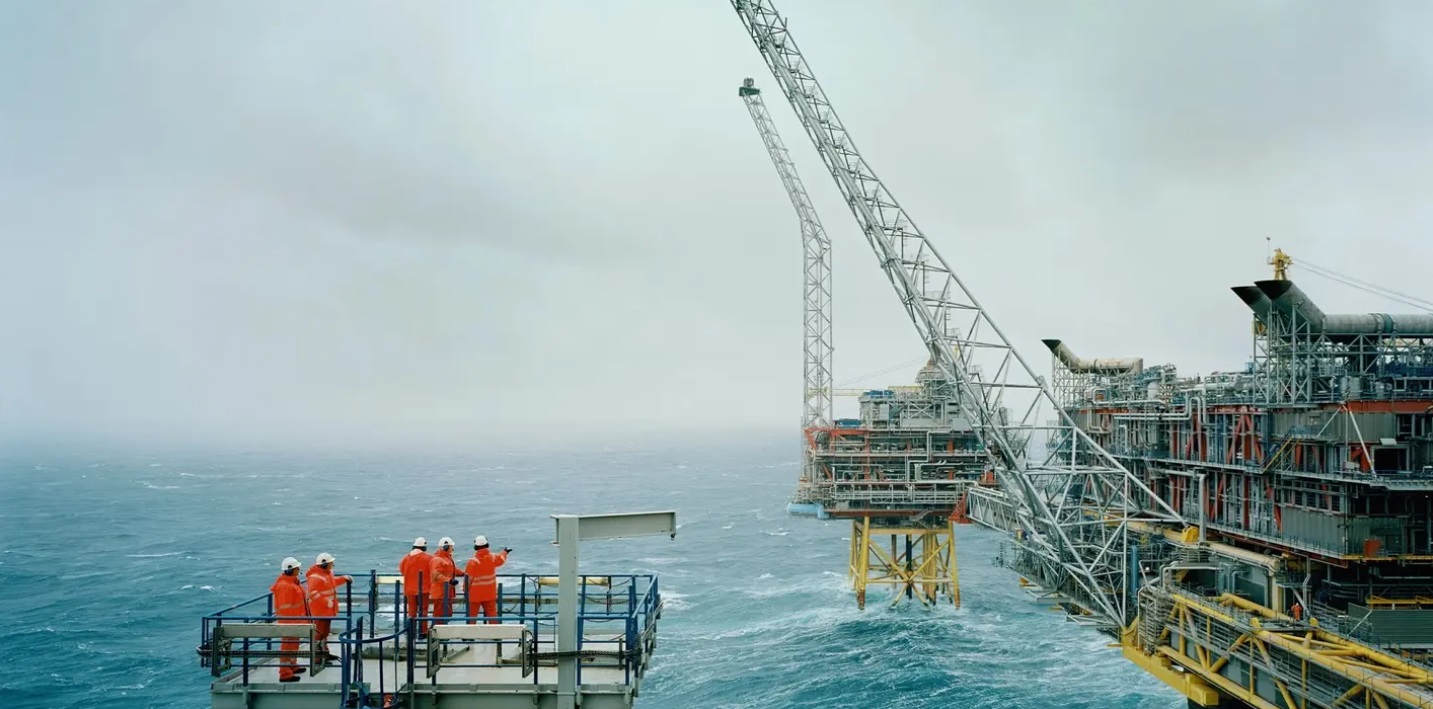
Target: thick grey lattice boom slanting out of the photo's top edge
x,y
1074,509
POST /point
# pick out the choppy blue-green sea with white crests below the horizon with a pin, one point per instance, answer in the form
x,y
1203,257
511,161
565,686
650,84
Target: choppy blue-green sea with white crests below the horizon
x,y
110,556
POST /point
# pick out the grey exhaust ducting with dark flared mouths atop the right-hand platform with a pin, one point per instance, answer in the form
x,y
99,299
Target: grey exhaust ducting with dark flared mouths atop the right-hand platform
x,y
1290,302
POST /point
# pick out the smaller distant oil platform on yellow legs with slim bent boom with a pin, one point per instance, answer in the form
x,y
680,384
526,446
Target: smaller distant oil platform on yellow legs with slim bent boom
x,y
899,471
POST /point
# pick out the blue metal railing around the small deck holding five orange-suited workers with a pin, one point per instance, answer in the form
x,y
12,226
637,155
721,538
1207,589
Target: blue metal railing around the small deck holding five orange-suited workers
x,y
379,631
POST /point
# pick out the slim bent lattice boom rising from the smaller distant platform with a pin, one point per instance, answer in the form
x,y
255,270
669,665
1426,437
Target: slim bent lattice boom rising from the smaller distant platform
x,y
816,266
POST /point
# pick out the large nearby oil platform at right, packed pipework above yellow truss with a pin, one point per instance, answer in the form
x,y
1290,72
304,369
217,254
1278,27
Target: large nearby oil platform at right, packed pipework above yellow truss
x,y
1306,578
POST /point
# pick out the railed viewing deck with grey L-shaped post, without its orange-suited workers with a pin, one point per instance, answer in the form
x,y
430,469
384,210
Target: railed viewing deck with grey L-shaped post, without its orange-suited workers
x,y
560,642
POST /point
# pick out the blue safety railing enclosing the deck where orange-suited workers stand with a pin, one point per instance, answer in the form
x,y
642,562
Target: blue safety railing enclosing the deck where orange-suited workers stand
x,y
383,651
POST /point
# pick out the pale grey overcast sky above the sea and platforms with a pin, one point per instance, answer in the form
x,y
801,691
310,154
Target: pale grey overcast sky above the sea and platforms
x,y
464,220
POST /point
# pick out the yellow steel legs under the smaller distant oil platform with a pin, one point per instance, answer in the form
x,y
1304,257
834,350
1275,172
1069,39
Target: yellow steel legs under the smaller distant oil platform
x,y
918,562
